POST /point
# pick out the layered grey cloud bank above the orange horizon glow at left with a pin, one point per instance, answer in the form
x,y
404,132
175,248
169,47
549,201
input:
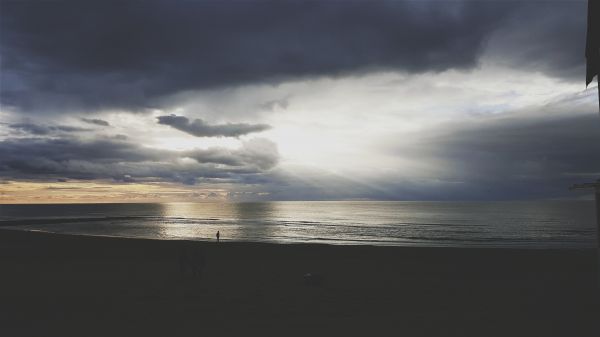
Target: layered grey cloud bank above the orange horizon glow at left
x,y
42,158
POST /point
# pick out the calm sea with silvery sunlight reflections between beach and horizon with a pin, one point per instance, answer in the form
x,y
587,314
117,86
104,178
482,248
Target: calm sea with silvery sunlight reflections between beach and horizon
x,y
568,224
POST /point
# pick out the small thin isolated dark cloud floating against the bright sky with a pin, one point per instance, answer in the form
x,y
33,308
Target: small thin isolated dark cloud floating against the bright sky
x,y
199,128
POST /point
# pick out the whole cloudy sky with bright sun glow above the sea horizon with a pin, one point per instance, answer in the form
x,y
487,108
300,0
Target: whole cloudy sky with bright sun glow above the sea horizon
x,y
166,101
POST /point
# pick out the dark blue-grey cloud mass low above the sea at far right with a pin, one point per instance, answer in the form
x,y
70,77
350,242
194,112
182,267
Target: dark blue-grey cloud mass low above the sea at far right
x,y
531,149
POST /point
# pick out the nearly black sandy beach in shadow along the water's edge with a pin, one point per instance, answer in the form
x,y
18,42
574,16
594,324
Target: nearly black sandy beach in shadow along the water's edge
x,y
60,285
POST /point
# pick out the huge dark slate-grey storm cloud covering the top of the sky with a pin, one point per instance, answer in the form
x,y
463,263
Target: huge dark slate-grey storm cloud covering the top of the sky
x,y
63,55
